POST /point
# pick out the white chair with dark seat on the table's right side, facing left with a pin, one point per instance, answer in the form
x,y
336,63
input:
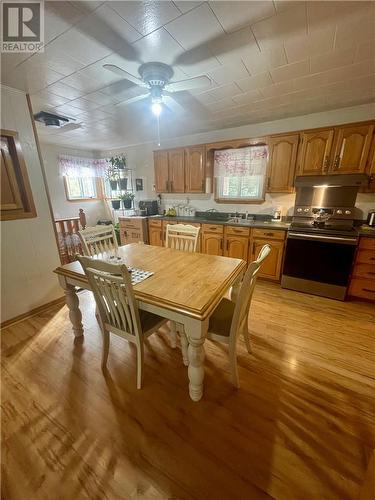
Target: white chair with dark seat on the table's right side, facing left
x,y
230,319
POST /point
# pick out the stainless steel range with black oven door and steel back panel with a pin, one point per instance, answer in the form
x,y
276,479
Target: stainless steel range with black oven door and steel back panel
x,y
322,240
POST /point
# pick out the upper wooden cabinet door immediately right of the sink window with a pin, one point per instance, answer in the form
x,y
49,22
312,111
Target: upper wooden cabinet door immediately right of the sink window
x,y
282,163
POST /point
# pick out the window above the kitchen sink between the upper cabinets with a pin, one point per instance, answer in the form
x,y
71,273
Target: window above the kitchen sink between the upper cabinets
x,y
240,174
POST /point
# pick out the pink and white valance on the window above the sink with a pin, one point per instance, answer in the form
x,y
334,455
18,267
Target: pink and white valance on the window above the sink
x,y
243,162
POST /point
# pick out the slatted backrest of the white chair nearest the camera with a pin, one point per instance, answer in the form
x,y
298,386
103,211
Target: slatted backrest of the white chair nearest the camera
x,y
114,296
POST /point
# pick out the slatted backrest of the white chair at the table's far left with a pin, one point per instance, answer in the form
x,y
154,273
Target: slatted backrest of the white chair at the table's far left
x,y
98,239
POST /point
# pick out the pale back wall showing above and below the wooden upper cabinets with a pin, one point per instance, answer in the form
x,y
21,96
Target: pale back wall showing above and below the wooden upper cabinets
x,y
141,158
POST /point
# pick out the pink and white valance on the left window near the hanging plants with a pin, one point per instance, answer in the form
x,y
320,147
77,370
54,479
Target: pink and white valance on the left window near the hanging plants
x,y
77,166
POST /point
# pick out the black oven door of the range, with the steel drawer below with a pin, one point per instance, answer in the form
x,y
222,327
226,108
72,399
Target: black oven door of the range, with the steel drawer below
x,y
318,264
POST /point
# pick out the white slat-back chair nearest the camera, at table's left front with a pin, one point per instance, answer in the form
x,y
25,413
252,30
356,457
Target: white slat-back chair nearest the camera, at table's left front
x,y
118,308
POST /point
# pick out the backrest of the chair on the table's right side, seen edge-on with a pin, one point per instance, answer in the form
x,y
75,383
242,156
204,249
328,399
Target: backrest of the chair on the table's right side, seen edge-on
x,y
241,310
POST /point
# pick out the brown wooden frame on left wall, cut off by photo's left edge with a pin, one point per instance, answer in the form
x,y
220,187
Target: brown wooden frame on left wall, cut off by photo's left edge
x,y
27,209
